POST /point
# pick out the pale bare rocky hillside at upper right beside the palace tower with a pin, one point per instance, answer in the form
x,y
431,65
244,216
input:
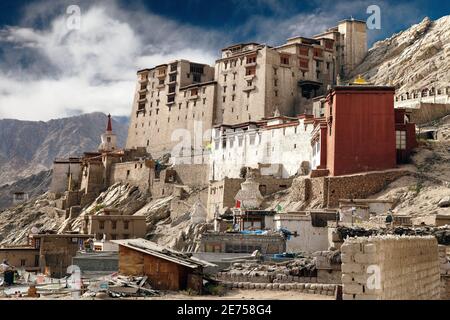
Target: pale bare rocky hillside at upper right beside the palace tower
x,y
412,59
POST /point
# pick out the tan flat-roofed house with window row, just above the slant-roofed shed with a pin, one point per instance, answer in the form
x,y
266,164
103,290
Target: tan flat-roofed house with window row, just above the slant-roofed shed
x,y
112,224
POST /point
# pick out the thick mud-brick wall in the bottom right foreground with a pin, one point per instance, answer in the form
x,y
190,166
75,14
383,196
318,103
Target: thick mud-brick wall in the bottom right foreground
x,y
407,268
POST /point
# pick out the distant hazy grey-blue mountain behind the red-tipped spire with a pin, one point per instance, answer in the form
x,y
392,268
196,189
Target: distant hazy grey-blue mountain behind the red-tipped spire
x,y
29,147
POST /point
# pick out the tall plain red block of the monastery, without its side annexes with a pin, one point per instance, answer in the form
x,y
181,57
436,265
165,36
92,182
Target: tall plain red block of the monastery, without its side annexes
x,y
362,136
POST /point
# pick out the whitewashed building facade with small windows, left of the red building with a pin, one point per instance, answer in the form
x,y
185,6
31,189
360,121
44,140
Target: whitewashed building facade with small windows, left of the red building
x,y
279,146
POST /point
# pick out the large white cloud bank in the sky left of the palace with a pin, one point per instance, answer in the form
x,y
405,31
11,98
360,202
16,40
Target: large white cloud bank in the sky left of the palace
x,y
94,68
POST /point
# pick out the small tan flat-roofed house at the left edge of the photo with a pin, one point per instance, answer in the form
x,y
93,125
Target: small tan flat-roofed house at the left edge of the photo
x,y
21,257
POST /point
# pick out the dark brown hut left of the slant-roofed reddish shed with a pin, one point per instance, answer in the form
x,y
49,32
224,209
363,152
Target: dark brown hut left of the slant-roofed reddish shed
x,y
57,250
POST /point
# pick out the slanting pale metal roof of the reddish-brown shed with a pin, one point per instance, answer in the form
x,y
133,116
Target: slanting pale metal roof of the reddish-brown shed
x,y
156,250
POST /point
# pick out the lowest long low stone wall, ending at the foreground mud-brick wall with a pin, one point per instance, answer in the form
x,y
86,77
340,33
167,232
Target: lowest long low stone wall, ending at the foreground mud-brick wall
x,y
311,288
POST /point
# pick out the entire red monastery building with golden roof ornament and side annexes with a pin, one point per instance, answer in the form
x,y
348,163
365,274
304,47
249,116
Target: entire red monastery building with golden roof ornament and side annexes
x,y
361,131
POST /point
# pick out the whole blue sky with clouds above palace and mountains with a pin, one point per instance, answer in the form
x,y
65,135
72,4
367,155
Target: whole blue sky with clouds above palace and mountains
x,y
54,64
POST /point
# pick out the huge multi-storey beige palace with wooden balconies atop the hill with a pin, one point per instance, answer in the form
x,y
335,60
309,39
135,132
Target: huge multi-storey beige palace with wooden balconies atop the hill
x,y
177,104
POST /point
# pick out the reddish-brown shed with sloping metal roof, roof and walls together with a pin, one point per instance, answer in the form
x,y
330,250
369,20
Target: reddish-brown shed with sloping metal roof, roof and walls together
x,y
166,269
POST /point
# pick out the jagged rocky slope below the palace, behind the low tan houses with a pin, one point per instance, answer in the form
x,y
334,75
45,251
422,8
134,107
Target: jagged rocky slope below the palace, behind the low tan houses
x,y
41,212
